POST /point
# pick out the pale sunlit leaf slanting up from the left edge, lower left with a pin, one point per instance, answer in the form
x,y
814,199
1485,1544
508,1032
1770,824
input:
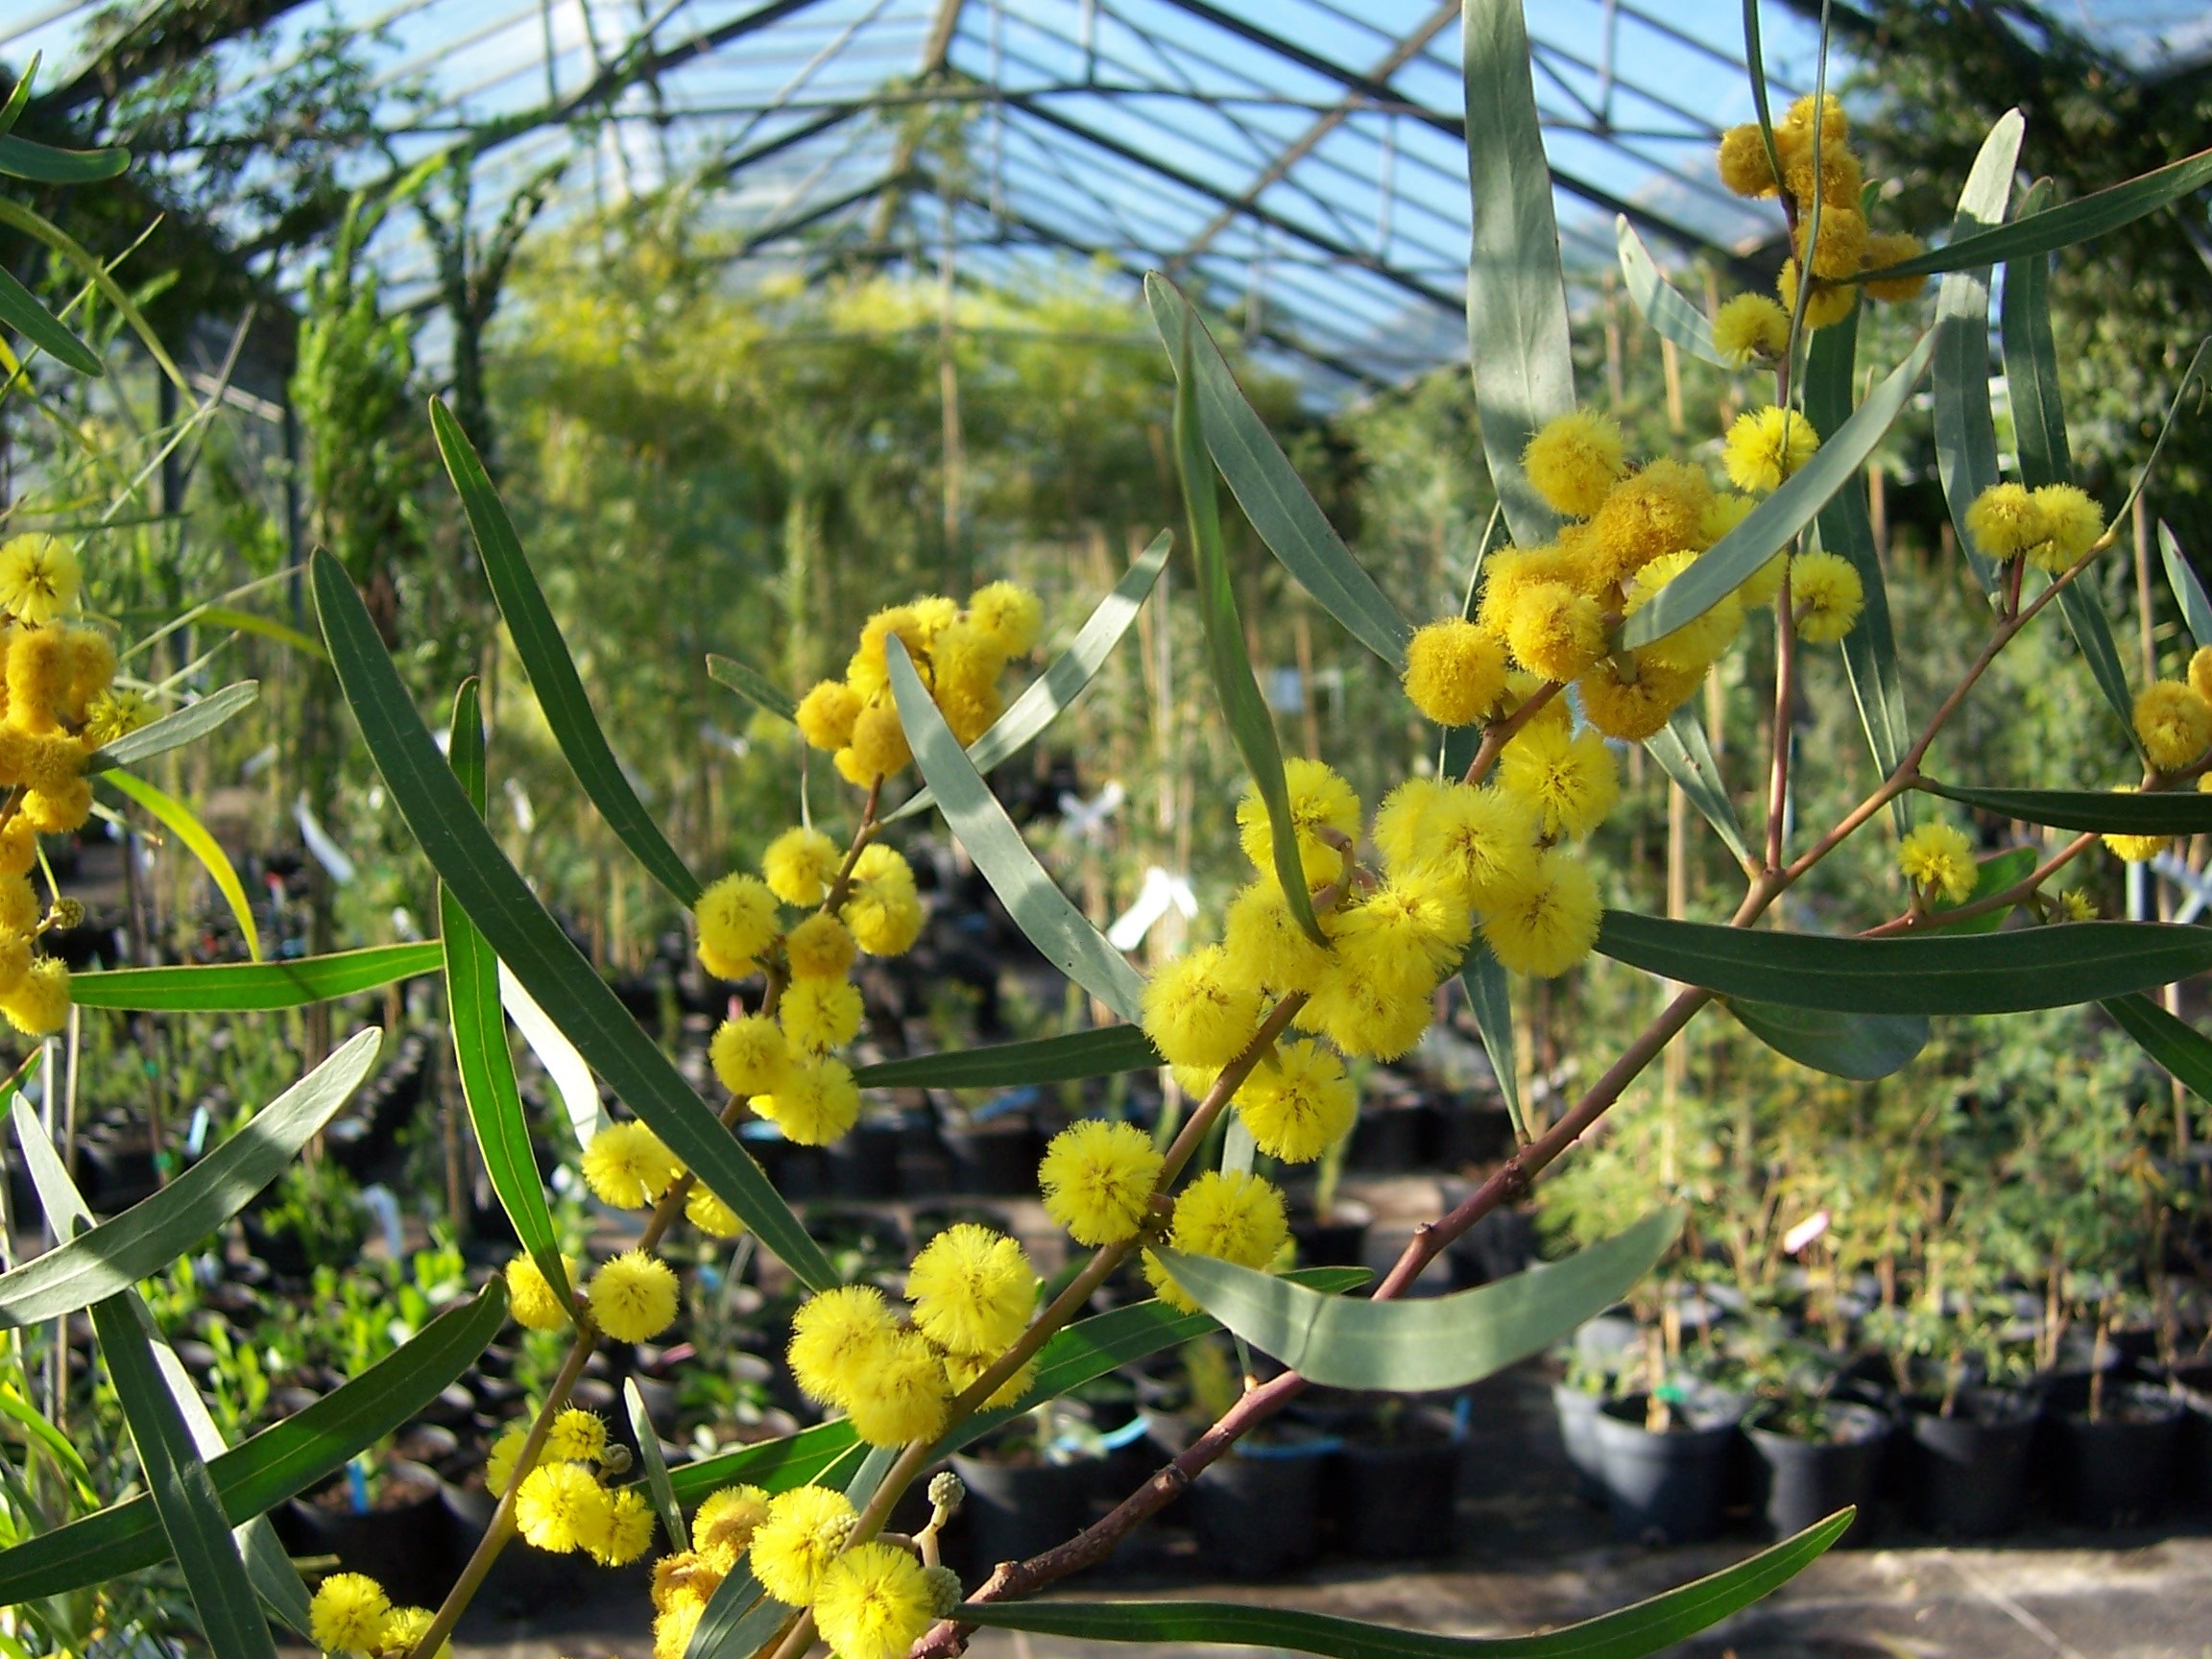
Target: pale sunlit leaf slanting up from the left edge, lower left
x,y
156,1231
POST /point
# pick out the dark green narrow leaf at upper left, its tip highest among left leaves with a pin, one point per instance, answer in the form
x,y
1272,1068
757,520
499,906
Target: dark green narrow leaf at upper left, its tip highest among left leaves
x,y
545,660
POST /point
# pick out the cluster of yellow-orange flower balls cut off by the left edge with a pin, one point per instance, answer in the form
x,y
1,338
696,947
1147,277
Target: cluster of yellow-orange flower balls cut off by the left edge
x,y
56,707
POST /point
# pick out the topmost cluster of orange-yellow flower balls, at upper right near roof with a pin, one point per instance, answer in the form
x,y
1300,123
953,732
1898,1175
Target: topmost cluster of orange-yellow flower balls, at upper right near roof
x,y
1755,326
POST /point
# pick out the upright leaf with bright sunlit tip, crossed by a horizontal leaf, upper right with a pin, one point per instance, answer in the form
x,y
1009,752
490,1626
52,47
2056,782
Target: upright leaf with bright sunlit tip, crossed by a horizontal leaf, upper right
x,y
1965,430
